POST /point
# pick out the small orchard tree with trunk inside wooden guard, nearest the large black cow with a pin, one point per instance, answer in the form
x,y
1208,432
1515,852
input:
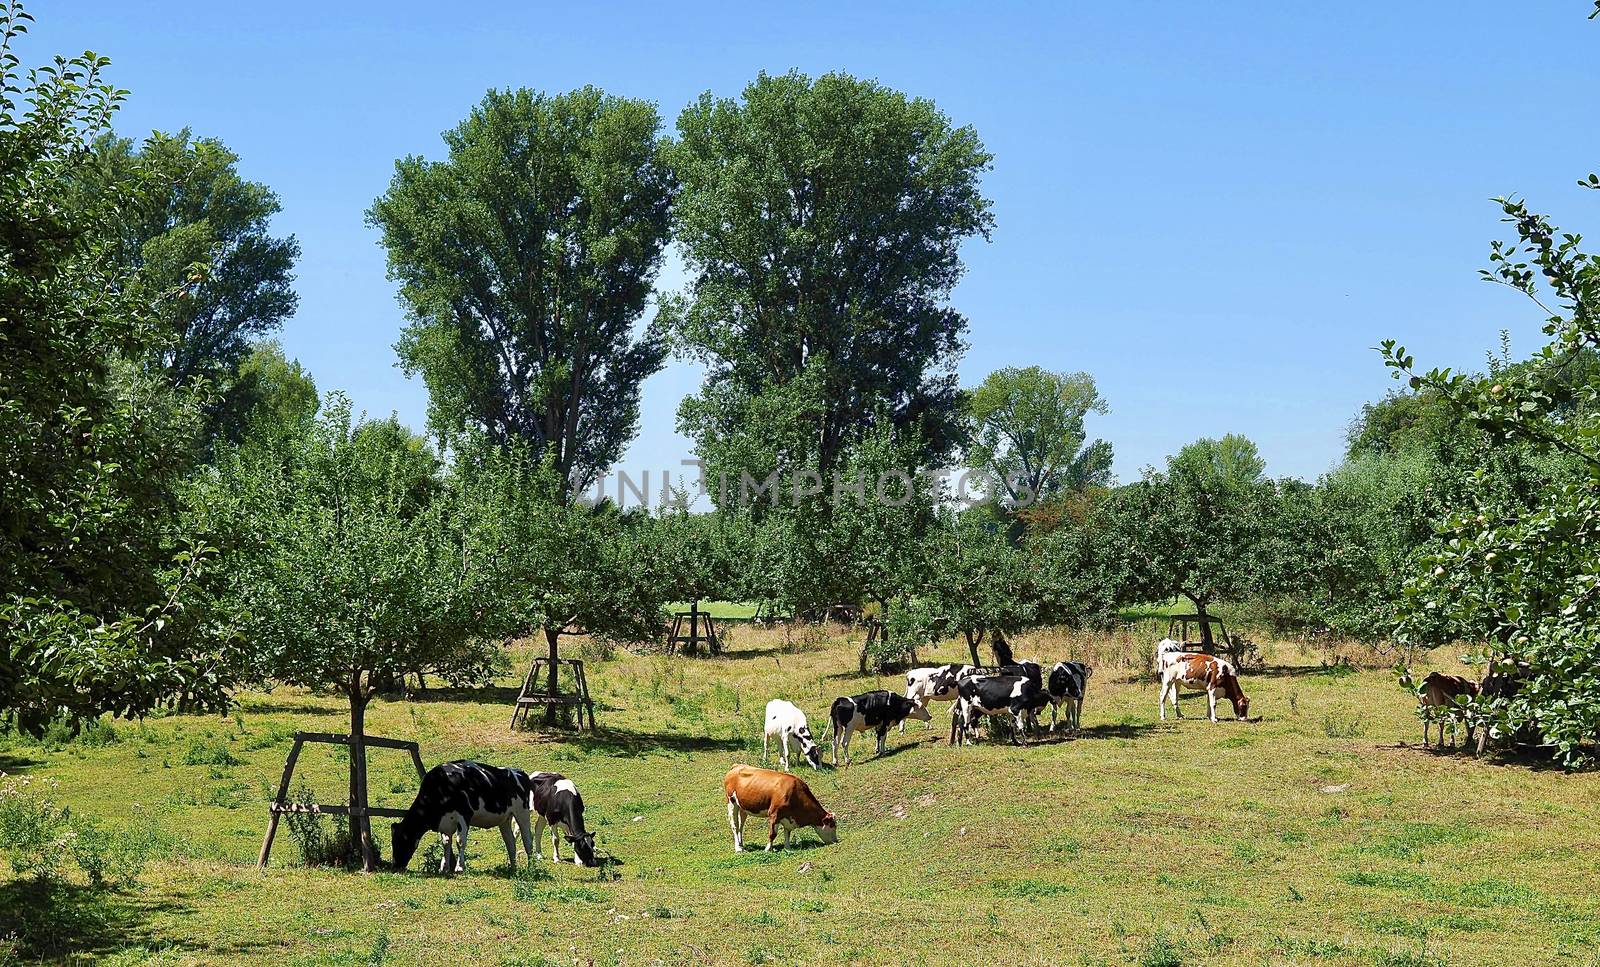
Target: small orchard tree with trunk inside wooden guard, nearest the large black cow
x,y
356,569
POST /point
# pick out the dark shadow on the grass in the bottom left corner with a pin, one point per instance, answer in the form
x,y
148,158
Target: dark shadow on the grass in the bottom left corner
x,y
55,921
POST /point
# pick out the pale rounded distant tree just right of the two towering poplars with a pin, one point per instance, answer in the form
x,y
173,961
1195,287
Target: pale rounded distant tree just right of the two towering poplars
x,y
1028,435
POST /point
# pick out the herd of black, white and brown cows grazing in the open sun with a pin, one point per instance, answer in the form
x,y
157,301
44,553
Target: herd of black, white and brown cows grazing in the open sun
x,y
458,796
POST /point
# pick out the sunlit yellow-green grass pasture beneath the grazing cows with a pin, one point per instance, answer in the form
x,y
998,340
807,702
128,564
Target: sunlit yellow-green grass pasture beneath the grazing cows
x,y
1319,835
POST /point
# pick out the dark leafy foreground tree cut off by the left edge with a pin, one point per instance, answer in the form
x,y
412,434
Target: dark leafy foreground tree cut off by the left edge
x,y
94,571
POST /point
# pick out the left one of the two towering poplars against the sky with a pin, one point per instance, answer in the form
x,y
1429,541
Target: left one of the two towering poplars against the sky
x,y
526,262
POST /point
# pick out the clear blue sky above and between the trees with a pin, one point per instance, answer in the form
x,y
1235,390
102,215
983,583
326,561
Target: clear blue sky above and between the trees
x,y
1215,209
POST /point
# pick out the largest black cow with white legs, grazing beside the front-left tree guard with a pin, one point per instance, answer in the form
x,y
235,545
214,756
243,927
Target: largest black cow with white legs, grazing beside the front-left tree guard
x,y
462,795
